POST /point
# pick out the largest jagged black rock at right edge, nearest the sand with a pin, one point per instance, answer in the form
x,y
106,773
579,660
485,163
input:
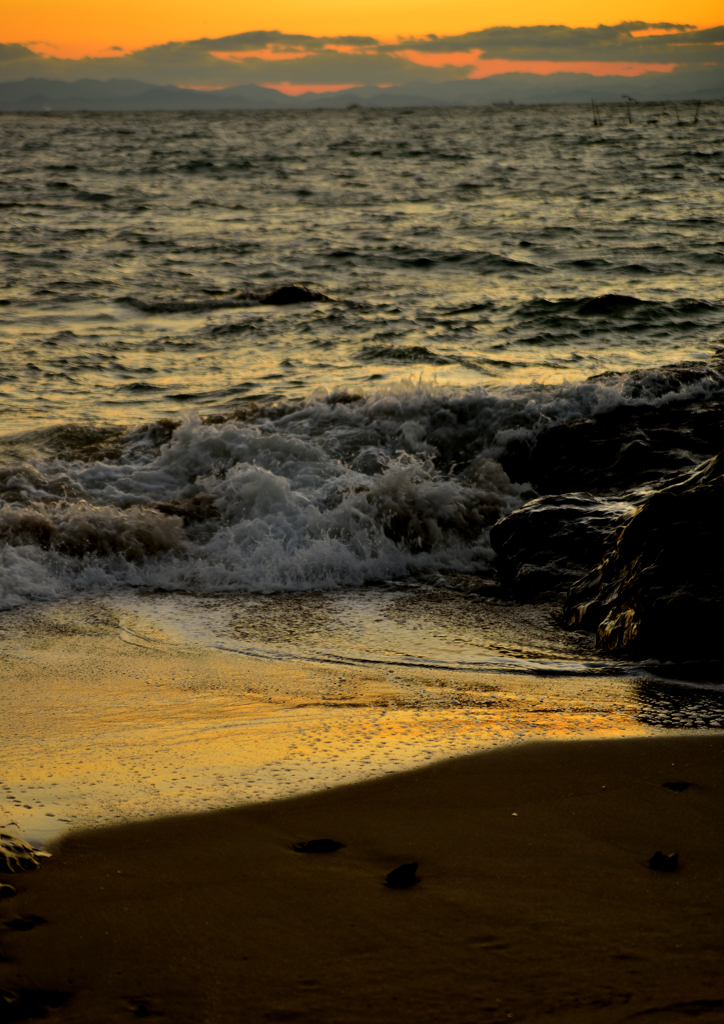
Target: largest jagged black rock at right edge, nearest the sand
x,y
660,593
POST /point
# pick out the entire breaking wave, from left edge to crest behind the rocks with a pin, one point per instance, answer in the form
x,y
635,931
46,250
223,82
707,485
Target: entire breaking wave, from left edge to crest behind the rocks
x,y
336,491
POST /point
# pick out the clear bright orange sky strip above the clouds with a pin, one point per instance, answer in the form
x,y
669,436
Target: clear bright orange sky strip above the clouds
x,y
84,28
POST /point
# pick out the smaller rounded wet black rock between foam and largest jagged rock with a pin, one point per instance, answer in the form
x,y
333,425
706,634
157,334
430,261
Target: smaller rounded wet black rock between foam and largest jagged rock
x,y
551,542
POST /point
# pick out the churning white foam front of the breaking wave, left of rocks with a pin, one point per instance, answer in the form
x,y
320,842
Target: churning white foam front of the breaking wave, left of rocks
x,y
229,507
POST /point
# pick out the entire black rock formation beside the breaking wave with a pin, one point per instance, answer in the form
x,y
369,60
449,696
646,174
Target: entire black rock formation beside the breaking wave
x,y
630,522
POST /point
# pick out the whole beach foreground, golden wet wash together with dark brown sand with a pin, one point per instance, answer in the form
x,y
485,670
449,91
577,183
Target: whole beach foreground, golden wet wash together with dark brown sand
x,y
536,901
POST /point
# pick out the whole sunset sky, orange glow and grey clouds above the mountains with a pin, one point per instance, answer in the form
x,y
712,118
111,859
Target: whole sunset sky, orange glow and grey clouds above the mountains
x,y
323,45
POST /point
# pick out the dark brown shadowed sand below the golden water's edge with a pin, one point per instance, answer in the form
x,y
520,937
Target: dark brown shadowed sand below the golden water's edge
x,y
536,901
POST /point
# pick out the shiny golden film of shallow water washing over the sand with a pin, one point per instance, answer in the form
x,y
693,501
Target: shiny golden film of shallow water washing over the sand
x,y
102,724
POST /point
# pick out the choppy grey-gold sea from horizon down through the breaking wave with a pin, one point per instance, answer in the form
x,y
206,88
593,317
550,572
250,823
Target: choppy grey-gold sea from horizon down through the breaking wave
x,y
489,274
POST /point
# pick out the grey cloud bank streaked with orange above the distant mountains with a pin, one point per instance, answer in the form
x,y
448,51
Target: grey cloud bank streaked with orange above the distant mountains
x,y
317,60
